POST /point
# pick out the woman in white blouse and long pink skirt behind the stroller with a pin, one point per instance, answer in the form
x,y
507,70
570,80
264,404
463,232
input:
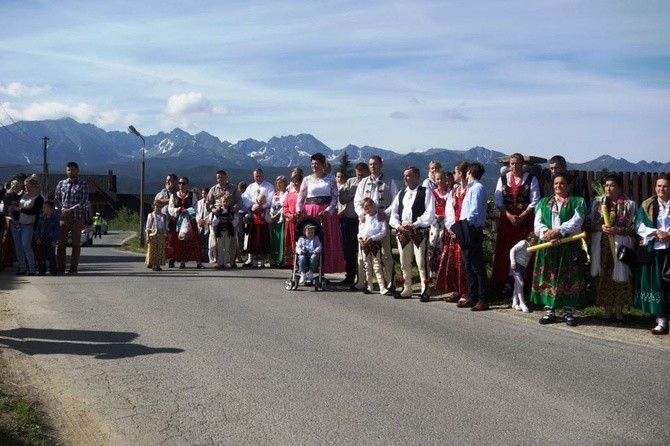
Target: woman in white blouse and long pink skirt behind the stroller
x,y
318,198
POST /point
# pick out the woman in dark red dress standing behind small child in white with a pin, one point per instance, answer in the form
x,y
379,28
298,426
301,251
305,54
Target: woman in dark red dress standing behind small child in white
x,y
516,194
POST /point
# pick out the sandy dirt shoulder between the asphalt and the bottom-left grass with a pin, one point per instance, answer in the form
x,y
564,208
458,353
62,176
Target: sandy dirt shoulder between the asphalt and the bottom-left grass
x,y
68,417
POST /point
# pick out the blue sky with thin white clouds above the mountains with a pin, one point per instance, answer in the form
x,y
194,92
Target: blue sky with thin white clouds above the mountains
x,y
577,78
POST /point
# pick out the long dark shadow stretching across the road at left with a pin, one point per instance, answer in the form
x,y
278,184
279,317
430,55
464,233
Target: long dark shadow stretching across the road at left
x,y
99,344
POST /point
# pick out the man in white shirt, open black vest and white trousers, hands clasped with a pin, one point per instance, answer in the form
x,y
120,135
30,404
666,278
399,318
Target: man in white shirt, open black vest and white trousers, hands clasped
x,y
411,214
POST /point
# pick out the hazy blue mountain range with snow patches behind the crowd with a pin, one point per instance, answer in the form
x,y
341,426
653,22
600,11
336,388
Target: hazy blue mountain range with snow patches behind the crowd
x,y
198,156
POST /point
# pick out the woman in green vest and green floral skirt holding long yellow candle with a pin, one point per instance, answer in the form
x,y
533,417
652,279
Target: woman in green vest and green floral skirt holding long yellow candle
x,y
558,274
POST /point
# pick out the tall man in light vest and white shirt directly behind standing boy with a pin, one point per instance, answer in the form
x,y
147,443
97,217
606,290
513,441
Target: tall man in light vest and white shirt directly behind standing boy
x,y
382,189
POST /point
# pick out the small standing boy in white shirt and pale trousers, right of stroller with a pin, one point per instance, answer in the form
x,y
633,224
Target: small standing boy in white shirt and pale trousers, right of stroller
x,y
370,233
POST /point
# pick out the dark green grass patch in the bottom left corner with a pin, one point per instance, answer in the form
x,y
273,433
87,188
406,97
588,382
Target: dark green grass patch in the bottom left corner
x,y
20,423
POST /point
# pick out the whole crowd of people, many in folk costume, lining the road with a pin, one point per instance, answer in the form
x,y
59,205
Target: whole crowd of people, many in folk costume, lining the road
x,y
436,224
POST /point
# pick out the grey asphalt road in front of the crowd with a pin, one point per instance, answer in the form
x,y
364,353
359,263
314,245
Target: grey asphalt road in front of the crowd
x,y
205,357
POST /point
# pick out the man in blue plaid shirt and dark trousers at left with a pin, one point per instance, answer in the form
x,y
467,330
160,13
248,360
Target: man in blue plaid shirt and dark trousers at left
x,y
72,200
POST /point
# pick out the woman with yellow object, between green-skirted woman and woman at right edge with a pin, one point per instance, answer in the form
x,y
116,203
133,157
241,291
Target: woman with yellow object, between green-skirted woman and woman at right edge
x,y
612,222
